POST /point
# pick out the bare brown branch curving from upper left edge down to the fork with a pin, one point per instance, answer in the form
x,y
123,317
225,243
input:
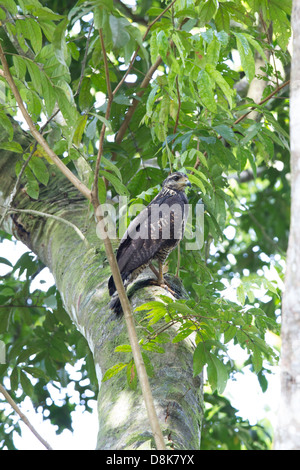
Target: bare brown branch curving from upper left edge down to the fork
x,y
36,134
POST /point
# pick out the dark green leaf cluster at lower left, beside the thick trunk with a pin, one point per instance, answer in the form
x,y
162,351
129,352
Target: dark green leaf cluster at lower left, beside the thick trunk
x,y
40,340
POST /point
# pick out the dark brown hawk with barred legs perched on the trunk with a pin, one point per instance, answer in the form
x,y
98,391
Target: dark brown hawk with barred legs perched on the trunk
x,y
153,234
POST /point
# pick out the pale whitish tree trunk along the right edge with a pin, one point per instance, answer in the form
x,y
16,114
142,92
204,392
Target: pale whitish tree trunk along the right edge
x,y
288,428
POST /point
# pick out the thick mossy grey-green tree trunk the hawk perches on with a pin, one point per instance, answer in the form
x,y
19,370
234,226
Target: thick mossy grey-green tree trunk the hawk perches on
x,y
81,273
